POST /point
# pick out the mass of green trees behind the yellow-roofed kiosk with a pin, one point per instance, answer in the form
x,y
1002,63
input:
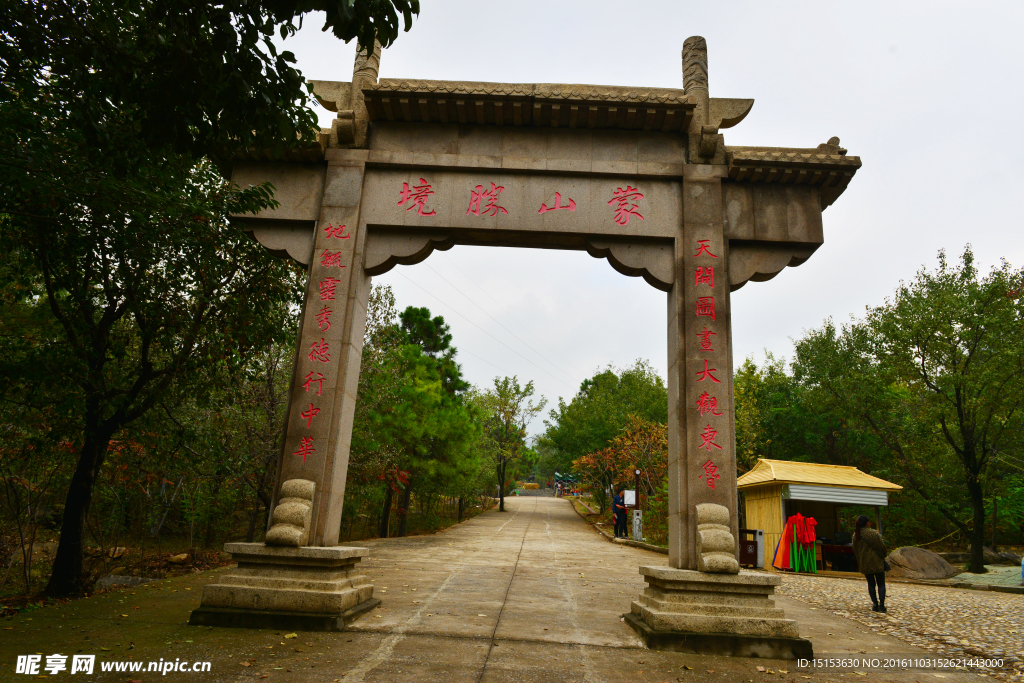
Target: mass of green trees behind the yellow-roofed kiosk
x,y
925,392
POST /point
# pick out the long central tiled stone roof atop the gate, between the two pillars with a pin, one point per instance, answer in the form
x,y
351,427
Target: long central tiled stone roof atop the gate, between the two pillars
x,y
552,105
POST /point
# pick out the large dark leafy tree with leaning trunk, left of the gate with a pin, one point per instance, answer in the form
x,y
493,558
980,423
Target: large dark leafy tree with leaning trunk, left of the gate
x,y
115,220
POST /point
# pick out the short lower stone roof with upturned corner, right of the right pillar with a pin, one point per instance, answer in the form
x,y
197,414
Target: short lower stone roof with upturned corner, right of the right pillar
x,y
827,167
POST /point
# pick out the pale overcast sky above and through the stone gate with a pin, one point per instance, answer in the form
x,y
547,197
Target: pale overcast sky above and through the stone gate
x,y
929,95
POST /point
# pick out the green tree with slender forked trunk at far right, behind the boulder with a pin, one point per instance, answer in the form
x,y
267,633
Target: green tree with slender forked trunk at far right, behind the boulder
x,y
937,375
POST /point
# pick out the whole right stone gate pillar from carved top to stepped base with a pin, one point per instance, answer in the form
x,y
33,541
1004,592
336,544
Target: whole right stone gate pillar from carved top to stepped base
x,y
702,603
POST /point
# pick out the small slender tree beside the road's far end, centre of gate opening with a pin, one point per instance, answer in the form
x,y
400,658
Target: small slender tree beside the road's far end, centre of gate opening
x,y
508,410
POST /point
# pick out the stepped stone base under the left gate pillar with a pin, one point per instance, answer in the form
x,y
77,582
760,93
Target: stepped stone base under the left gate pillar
x,y
281,587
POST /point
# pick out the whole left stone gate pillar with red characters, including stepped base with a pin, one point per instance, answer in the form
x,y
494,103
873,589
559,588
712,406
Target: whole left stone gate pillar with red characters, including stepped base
x,y
298,579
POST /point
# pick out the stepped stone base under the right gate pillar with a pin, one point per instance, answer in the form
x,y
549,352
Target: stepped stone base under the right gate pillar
x,y
715,614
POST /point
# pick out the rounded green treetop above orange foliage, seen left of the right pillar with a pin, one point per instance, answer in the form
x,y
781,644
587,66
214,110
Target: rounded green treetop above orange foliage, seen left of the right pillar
x,y
601,411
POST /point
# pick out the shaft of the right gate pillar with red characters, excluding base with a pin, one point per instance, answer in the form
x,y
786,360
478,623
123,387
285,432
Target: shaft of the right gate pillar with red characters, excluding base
x,y
702,434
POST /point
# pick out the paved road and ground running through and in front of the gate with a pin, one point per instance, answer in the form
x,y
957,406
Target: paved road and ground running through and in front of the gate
x,y
534,594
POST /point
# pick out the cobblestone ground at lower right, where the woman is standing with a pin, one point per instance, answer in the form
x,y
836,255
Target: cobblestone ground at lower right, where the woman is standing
x,y
950,622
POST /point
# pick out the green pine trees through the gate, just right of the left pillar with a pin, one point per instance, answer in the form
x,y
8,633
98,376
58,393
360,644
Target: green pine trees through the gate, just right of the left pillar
x,y
416,428
